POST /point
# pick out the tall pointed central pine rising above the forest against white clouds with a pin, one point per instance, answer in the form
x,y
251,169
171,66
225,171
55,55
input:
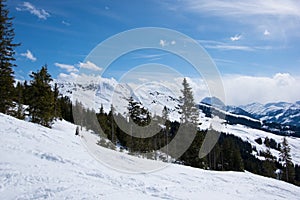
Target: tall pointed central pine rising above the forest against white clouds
x,y
189,112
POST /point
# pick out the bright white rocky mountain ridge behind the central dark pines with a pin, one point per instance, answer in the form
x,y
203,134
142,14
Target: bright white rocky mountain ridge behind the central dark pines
x,y
96,91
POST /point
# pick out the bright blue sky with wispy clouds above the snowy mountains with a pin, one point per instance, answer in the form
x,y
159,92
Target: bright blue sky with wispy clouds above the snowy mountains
x,y
246,39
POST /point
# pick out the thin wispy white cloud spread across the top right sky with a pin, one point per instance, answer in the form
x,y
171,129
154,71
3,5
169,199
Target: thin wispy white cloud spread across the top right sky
x,y
281,16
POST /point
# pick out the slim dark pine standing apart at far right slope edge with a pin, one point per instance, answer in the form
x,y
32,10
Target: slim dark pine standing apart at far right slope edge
x,y
287,160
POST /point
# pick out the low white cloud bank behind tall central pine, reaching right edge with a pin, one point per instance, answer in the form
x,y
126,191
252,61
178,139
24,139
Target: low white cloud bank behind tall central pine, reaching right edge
x,y
242,90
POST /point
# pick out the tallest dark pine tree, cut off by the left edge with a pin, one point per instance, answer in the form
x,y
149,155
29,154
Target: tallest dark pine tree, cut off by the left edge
x,y
6,58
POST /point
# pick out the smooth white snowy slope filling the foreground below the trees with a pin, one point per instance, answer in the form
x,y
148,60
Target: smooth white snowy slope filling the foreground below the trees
x,y
41,163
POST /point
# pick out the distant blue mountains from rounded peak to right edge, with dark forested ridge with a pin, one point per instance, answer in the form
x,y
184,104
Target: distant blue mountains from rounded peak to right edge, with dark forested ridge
x,y
280,118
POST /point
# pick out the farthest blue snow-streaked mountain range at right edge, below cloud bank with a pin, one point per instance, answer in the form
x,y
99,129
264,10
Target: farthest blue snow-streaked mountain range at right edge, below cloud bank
x,y
281,112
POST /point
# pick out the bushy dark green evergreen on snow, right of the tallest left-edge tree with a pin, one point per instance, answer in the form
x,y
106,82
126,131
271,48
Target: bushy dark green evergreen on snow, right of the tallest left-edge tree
x,y
41,105
